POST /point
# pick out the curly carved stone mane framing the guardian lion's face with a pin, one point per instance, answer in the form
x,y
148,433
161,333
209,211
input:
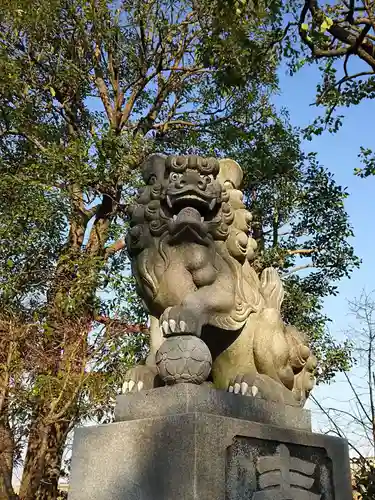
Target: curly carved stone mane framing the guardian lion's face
x,y
228,234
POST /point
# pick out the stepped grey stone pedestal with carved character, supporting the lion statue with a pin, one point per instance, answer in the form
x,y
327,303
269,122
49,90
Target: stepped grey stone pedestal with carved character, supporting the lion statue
x,y
195,443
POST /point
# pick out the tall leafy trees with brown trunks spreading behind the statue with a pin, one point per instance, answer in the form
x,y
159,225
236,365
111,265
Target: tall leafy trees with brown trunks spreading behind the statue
x,y
87,90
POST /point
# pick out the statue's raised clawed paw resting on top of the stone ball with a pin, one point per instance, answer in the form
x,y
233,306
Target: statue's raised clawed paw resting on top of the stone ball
x,y
178,320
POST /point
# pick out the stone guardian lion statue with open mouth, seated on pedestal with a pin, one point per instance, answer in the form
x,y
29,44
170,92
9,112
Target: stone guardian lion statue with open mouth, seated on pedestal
x,y
191,256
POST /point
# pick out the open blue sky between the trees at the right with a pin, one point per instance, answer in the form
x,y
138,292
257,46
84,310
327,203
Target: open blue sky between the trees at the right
x,y
339,153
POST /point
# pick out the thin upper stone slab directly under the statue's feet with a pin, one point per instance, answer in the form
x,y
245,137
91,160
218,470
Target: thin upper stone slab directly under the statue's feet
x,y
186,398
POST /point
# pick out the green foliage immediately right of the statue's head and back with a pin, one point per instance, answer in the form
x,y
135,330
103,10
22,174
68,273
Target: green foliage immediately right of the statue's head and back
x,y
302,228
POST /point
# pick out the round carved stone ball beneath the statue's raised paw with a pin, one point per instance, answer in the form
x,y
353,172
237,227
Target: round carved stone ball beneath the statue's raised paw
x,y
183,359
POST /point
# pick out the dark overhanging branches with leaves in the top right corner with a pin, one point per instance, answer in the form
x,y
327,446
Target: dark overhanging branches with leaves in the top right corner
x,y
340,37
